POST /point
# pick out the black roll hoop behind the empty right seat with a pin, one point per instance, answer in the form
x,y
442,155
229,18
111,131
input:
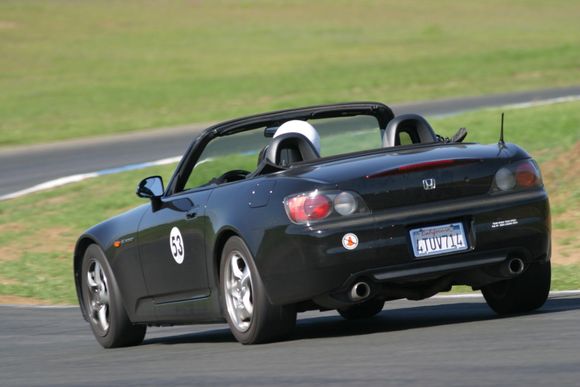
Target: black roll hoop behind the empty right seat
x,y
413,125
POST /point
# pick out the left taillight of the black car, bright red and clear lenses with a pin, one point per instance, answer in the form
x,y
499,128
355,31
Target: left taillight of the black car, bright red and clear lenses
x,y
305,208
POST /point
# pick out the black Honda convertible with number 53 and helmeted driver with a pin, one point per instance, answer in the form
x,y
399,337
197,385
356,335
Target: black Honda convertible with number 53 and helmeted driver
x,y
328,207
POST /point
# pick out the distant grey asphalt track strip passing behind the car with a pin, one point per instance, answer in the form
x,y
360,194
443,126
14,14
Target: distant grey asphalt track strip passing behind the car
x,y
23,167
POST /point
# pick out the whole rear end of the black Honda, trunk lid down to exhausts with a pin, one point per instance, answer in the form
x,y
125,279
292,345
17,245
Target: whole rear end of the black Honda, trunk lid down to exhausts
x,y
407,223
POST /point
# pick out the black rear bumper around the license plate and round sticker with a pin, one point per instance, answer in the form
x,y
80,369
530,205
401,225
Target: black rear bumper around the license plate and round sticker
x,y
309,263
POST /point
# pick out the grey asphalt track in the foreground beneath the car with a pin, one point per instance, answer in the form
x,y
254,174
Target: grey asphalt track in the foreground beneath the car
x,y
437,342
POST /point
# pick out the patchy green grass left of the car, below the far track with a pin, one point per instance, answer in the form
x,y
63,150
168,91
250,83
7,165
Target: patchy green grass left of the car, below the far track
x,y
37,250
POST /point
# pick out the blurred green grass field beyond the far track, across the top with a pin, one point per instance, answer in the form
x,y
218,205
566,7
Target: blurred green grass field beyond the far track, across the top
x,y
79,68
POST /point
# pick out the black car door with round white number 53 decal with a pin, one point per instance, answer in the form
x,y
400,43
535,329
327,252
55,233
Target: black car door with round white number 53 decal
x,y
172,248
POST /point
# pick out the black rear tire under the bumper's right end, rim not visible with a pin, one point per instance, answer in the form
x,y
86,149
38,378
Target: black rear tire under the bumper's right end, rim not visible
x,y
522,294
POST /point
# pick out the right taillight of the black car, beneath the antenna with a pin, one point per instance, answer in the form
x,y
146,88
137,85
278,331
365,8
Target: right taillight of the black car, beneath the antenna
x,y
525,174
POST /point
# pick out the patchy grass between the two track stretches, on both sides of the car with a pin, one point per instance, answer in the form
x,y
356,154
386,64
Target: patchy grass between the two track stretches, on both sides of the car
x,y
37,232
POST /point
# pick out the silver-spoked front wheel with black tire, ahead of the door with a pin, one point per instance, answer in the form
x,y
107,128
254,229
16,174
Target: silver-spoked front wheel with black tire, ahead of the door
x,y
115,329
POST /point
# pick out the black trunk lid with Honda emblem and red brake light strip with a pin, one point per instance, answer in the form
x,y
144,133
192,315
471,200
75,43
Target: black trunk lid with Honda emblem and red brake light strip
x,y
414,175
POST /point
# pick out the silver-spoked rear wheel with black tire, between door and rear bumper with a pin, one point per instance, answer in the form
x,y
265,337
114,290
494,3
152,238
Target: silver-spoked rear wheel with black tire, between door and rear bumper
x,y
266,322
